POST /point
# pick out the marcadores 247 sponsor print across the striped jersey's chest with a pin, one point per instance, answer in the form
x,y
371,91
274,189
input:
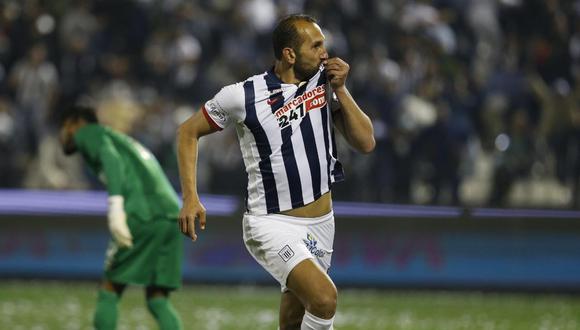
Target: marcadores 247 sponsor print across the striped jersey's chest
x,y
298,107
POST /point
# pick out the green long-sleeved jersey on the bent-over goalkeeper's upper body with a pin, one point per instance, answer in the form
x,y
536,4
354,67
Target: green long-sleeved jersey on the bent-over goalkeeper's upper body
x,y
129,170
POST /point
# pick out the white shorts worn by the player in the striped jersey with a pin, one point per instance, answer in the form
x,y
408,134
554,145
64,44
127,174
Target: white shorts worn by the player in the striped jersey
x,y
279,242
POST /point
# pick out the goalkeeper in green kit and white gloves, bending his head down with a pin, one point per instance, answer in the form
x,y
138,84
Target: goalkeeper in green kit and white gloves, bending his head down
x,y
147,247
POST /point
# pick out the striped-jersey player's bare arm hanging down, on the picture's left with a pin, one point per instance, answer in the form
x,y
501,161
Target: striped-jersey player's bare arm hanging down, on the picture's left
x,y
188,136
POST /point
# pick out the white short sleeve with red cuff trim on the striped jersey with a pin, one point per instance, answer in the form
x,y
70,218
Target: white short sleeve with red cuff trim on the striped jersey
x,y
225,107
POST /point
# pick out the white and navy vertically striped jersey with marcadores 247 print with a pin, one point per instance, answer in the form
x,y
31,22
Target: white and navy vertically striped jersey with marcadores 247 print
x,y
286,137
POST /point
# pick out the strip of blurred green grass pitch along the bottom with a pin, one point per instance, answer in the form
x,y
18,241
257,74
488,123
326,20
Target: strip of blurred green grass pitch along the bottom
x,y
62,305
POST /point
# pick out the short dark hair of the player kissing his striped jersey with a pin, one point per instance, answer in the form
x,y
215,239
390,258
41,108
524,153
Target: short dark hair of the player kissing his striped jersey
x,y
286,35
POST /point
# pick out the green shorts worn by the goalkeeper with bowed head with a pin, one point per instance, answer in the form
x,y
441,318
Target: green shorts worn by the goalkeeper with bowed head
x,y
155,258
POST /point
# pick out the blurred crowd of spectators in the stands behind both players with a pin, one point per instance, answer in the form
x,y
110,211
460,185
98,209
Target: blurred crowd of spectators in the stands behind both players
x,y
474,102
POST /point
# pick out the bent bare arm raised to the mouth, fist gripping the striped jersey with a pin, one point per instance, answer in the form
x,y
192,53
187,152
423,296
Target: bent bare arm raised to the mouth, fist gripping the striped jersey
x,y
350,120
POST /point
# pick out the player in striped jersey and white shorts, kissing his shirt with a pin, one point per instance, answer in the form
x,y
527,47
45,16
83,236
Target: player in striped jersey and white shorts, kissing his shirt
x,y
284,119
